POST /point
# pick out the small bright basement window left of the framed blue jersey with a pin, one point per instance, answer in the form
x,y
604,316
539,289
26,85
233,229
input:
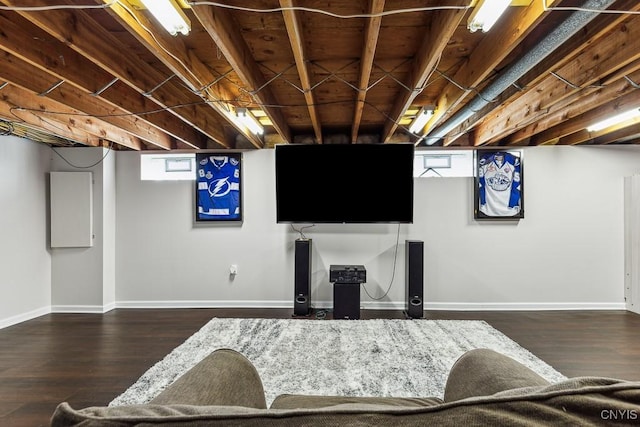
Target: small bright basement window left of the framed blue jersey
x,y
167,167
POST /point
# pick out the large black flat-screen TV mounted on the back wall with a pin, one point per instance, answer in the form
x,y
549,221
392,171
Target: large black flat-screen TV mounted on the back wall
x,y
344,183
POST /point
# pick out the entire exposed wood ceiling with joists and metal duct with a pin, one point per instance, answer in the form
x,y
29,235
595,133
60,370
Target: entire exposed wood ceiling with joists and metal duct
x,y
105,73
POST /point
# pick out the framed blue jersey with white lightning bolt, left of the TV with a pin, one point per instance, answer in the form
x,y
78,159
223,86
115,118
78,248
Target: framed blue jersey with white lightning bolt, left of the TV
x,y
218,187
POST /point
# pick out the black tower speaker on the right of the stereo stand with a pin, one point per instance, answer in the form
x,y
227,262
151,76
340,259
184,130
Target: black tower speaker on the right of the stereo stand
x,y
414,278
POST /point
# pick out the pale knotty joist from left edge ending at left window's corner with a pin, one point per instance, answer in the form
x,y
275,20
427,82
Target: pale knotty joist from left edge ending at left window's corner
x,y
18,104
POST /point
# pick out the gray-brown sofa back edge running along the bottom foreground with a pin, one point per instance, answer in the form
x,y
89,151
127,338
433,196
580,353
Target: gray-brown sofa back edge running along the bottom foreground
x,y
579,401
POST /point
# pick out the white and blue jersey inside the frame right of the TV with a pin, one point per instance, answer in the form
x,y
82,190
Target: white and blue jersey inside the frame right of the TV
x,y
499,184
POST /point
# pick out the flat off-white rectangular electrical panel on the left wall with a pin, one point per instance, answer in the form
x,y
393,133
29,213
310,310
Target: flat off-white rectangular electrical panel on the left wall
x,y
71,209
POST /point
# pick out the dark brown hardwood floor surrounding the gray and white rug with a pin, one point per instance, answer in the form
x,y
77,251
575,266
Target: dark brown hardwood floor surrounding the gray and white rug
x,y
89,359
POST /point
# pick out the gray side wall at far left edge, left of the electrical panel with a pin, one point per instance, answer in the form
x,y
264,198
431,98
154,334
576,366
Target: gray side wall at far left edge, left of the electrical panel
x,y
25,261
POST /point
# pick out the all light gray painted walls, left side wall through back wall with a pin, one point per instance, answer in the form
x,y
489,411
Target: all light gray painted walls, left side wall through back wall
x,y
568,251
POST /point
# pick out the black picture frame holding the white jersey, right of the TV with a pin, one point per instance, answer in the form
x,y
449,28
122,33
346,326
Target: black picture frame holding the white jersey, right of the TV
x,y
499,185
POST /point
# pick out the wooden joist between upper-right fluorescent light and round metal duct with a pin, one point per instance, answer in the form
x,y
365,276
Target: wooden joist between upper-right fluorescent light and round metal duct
x,y
494,47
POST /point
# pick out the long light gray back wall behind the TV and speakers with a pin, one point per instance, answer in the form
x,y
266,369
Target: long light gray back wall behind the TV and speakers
x,y
566,253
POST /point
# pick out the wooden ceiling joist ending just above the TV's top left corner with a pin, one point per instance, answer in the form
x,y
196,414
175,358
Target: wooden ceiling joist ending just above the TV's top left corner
x,y
219,24
